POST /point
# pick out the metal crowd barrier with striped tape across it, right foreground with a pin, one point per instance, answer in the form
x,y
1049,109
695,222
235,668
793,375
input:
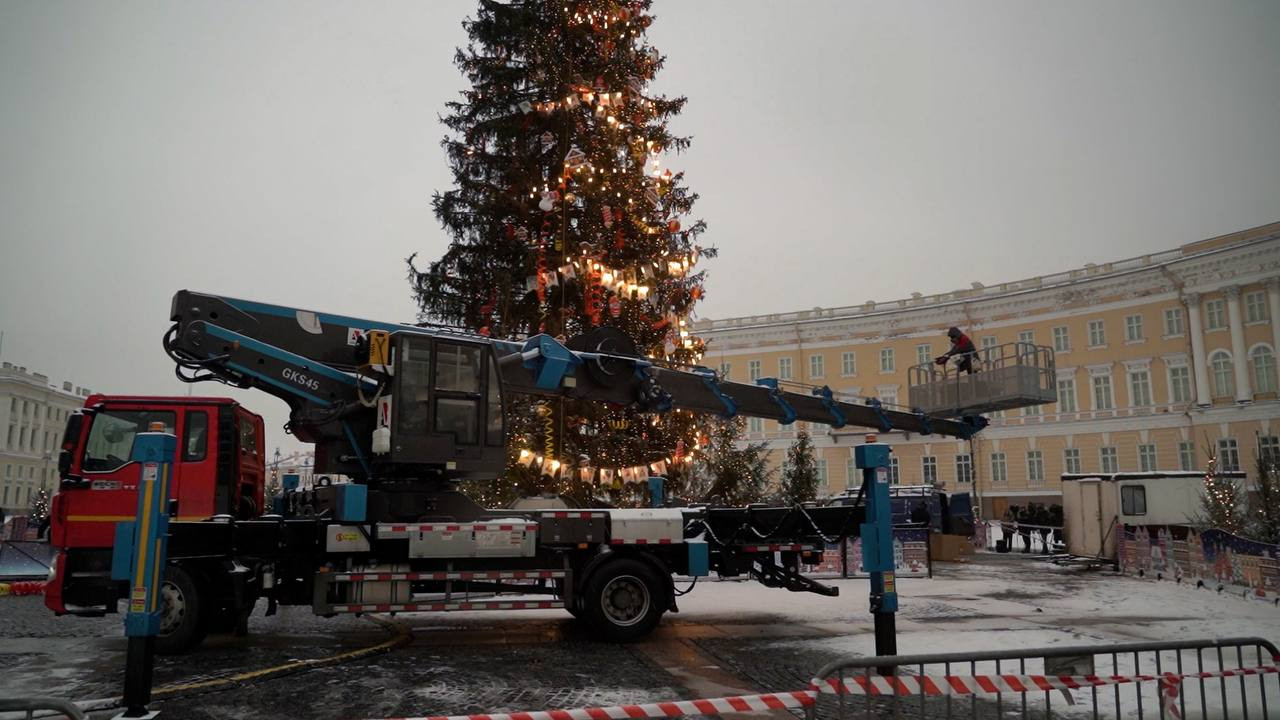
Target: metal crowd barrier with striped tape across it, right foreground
x,y
1219,678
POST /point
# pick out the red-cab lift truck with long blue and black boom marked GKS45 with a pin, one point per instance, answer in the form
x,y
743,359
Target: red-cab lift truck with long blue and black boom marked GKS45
x,y
406,412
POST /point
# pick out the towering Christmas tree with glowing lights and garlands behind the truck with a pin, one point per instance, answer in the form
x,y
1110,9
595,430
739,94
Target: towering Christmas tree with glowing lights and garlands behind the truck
x,y
563,220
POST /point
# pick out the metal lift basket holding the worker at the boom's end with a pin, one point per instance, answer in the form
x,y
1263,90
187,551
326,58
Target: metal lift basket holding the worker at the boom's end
x,y
1017,375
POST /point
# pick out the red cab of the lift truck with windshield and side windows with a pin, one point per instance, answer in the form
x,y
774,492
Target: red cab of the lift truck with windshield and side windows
x,y
220,471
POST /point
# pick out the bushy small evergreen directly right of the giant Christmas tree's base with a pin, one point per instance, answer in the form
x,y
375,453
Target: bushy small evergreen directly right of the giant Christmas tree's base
x,y
730,472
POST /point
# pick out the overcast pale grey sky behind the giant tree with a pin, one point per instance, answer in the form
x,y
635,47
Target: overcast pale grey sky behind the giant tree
x,y
845,152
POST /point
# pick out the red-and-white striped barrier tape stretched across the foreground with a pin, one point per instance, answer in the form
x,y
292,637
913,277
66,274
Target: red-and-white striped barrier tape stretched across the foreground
x,y
1171,687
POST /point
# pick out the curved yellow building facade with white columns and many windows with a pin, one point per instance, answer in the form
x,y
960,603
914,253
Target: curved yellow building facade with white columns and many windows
x,y
1162,361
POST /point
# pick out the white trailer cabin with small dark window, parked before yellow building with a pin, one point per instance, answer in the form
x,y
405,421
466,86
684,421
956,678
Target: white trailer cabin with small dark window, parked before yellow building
x,y
1095,504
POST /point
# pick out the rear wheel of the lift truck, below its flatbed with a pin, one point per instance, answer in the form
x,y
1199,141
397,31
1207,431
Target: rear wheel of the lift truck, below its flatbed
x,y
624,600
